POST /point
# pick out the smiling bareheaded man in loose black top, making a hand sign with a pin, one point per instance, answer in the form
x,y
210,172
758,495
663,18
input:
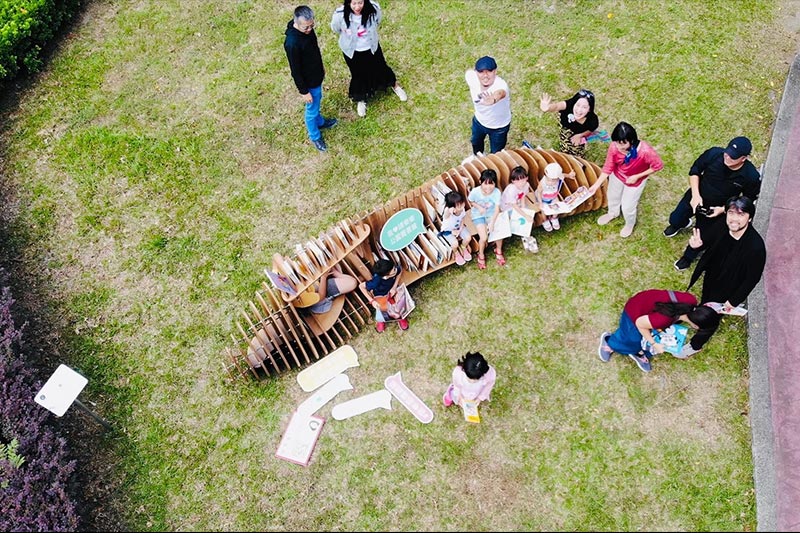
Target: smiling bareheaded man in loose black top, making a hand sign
x,y
733,261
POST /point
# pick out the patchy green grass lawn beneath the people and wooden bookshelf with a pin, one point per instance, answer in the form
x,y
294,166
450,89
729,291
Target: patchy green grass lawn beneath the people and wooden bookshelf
x,y
161,160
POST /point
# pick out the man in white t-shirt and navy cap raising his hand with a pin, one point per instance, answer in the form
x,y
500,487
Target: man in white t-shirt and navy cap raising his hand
x,y
492,101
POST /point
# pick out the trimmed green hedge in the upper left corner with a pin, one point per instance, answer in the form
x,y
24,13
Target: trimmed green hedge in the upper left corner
x,y
26,26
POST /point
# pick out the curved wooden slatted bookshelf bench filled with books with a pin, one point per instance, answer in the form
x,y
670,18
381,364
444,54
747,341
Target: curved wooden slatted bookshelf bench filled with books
x,y
275,334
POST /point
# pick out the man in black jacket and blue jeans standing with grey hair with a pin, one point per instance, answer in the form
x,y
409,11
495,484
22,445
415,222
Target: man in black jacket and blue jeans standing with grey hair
x,y
305,63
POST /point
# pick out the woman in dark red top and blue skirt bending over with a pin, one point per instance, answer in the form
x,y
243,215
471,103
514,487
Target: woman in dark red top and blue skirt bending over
x,y
649,310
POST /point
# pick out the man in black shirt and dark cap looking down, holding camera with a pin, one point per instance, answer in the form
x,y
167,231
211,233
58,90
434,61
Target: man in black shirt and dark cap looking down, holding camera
x,y
717,175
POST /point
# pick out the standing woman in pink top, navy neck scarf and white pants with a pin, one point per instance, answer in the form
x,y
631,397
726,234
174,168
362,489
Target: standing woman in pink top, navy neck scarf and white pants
x,y
629,163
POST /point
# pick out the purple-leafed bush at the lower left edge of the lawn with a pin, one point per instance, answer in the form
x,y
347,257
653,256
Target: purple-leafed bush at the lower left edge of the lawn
x,y
33,496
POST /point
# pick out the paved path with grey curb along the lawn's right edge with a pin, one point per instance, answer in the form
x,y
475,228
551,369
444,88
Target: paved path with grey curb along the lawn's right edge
x,y
774,318
